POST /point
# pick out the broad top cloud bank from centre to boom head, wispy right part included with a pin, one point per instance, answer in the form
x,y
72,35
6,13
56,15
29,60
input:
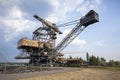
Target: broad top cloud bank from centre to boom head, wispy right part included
x,y
62,8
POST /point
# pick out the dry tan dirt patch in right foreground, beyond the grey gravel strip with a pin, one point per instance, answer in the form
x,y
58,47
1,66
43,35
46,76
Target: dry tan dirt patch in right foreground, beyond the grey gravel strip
x,y
84,74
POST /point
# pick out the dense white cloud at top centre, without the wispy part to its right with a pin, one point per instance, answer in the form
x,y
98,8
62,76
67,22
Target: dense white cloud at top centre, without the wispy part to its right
x,y
62,8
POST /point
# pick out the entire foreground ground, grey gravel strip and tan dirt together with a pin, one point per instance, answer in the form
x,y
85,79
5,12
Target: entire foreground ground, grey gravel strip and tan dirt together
x,y
66,74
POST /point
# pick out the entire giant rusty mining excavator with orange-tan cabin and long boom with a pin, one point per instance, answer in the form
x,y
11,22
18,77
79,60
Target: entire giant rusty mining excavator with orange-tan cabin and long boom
x,y
41,49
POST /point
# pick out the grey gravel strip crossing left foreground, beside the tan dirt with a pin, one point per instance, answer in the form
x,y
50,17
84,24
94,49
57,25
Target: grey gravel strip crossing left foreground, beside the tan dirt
x,y
17,76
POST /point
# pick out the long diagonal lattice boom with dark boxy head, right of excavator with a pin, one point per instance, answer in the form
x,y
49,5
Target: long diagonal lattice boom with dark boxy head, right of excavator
x,y
90,18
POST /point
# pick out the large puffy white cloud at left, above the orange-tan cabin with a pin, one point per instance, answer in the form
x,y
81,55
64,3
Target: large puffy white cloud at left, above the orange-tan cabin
x,y
15,23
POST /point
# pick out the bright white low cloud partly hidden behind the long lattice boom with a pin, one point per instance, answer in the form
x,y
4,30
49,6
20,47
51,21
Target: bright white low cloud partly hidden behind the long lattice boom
x,y
76,42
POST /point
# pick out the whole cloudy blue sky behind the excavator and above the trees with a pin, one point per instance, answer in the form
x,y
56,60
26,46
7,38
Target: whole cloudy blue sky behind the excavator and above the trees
x,y
99,39
